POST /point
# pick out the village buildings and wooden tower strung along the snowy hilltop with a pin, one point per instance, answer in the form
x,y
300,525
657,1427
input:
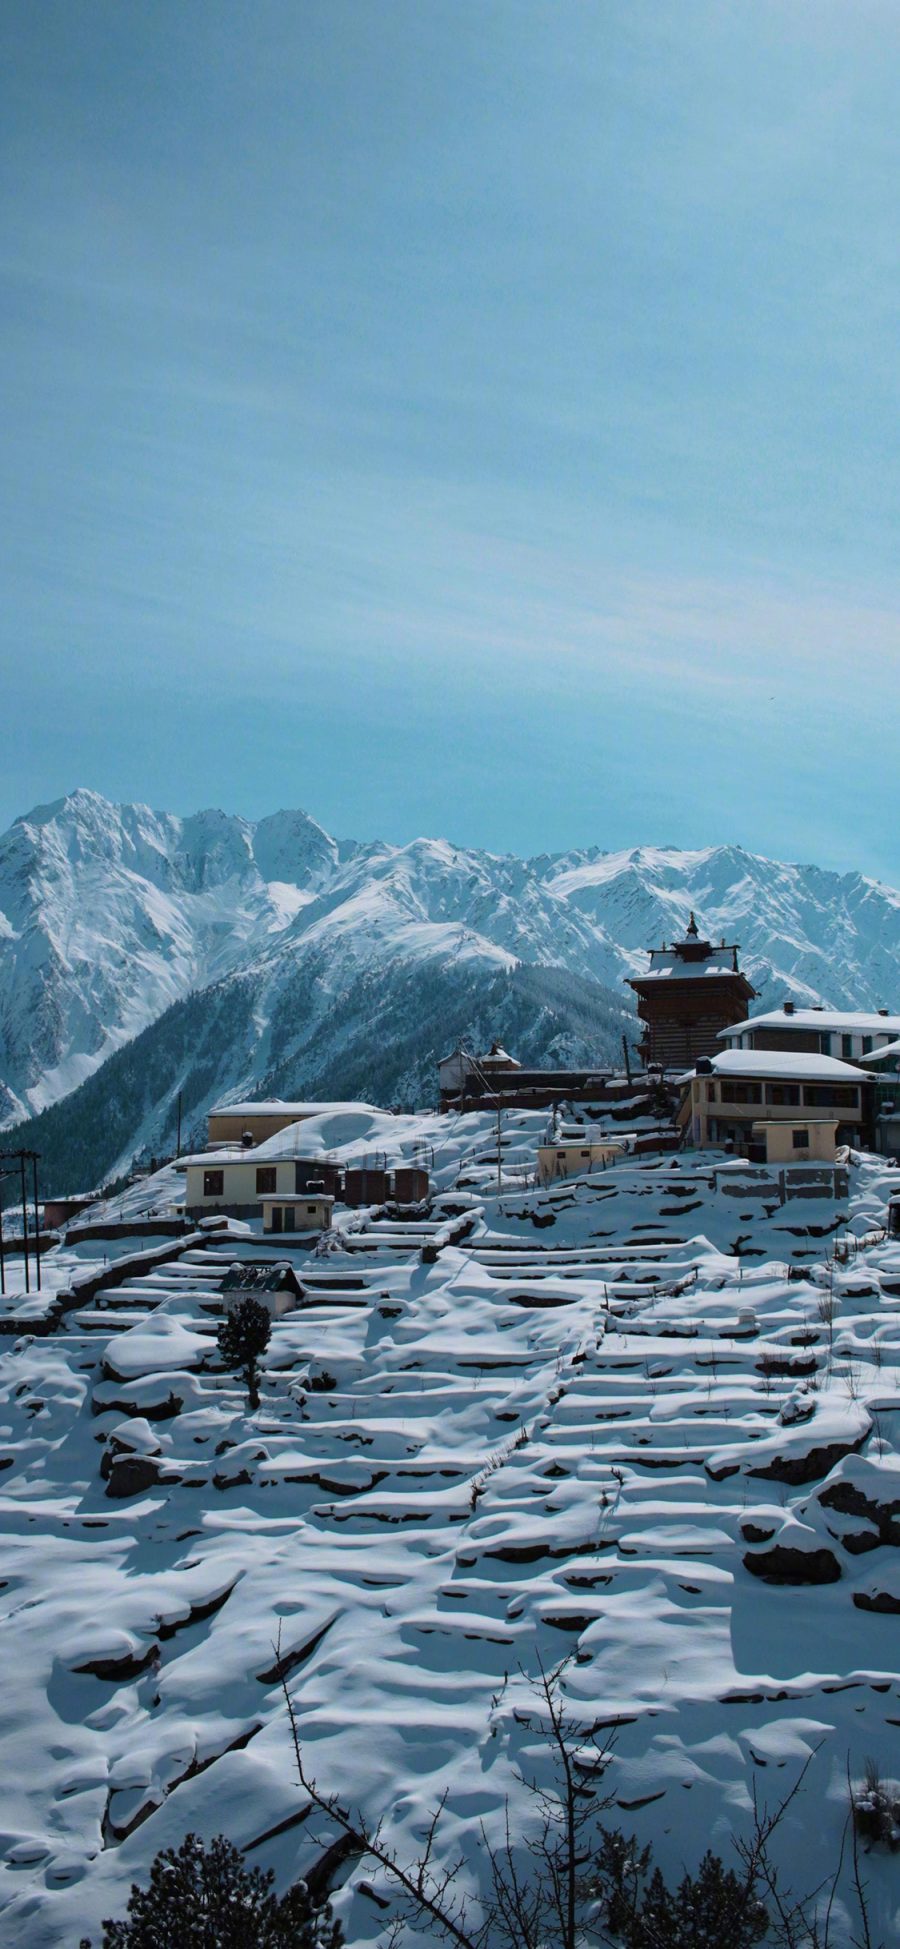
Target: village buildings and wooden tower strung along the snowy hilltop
x,y
782,1100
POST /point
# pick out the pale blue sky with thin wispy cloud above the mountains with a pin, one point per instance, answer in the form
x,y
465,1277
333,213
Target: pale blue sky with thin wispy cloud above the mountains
x,y
472,418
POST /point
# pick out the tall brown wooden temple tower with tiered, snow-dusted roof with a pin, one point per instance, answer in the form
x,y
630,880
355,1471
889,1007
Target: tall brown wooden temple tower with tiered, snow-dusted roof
x,y
689,995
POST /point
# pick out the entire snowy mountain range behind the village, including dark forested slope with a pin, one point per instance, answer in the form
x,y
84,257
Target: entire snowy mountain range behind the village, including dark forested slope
x,y
145,954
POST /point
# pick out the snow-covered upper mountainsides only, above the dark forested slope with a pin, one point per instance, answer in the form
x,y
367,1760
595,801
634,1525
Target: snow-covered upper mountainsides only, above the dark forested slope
x,y
110,915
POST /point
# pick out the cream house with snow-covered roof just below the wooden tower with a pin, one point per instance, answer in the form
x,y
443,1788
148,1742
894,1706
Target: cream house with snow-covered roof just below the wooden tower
x,y
728,1094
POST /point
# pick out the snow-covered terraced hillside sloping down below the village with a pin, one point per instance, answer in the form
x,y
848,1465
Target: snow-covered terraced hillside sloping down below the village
x,y
591,1422
